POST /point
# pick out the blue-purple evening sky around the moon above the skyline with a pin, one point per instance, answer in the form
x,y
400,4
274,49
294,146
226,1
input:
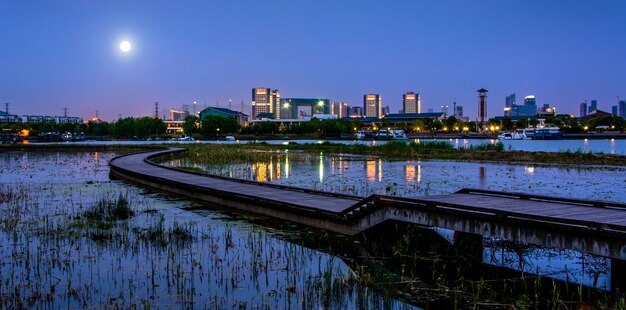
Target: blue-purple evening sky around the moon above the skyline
x,y
56,54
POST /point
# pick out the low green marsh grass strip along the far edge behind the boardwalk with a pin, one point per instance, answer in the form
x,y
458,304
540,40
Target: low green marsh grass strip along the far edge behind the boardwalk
x,y
205,154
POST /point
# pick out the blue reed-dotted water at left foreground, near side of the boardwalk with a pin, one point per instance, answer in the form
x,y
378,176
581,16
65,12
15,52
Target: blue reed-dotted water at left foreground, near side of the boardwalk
x,y
170,253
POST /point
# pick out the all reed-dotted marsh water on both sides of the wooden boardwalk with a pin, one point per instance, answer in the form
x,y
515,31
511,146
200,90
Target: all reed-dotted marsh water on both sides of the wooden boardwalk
x,y
172,252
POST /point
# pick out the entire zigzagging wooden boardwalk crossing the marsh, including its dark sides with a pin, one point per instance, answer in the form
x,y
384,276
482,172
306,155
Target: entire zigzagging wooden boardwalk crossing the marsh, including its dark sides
x,y
589,226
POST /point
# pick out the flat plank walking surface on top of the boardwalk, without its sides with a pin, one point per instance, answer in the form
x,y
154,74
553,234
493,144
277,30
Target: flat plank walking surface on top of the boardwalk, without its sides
x,y
549,209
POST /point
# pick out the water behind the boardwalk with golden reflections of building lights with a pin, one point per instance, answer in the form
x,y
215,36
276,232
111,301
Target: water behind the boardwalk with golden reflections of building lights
x,y
363,176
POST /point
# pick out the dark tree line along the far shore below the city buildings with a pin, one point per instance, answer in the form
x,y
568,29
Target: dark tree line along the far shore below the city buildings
x,y
218,126
